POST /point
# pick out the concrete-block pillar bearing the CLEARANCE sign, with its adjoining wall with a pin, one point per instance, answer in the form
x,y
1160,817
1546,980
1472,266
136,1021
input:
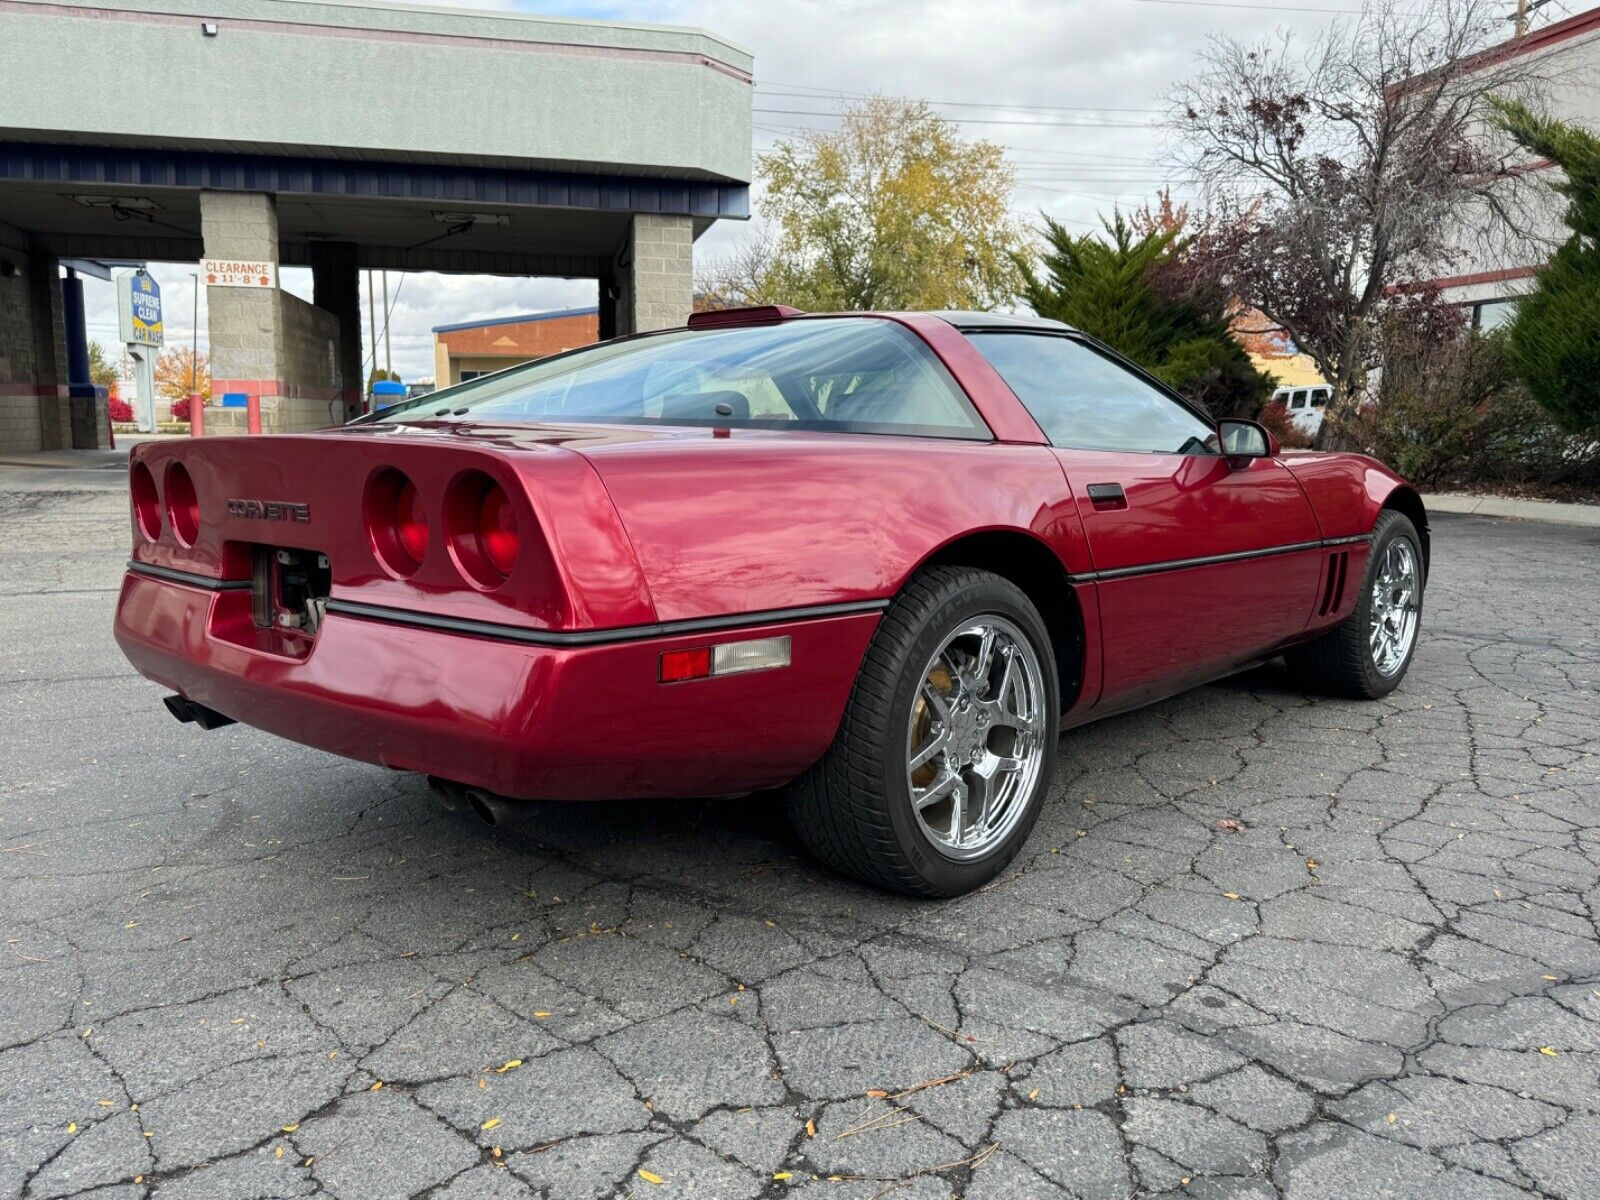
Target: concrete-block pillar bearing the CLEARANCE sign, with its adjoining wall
x,y
266,342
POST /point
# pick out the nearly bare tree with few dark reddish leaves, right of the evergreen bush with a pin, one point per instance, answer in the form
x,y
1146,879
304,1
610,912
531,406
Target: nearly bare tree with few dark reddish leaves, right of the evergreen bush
x,y
1354,164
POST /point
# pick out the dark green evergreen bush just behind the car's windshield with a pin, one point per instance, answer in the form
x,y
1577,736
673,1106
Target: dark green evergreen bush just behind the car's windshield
x,y
1134,290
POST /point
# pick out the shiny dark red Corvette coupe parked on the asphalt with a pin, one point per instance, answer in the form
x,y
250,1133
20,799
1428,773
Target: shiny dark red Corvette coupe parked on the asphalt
x,y
882,559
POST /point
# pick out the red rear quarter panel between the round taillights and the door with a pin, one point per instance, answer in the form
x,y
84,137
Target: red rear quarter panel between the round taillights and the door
x,y
759,522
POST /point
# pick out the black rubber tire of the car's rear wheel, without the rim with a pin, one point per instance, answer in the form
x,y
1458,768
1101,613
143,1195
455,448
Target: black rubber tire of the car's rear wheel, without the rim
x,y
854,809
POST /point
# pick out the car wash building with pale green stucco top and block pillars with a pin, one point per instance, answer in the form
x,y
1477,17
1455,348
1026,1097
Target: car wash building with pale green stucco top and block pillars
x,y
252,135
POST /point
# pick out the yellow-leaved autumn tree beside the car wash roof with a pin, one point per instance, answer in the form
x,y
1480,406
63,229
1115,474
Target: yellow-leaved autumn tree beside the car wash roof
x,y
894,210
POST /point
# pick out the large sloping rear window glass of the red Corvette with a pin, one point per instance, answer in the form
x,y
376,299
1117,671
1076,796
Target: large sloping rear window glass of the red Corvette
x,y
846,375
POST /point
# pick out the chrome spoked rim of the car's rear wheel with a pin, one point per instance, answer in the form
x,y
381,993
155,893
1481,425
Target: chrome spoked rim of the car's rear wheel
x,y
977,743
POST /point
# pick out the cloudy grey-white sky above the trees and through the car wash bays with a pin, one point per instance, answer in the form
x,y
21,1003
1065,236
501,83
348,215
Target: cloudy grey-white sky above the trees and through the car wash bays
x,y
1073,89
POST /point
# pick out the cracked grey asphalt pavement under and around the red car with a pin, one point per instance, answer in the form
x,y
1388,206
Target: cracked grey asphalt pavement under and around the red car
x,y
1260,945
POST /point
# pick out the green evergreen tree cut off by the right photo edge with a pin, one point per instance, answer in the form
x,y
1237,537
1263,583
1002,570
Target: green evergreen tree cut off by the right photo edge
x,y
1556,337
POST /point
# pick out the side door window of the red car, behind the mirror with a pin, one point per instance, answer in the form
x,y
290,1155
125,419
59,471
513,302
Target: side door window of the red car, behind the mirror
x,y
1084,401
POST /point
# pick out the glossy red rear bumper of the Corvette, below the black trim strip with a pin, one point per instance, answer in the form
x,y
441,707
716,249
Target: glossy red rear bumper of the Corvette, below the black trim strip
x,y
527,721
